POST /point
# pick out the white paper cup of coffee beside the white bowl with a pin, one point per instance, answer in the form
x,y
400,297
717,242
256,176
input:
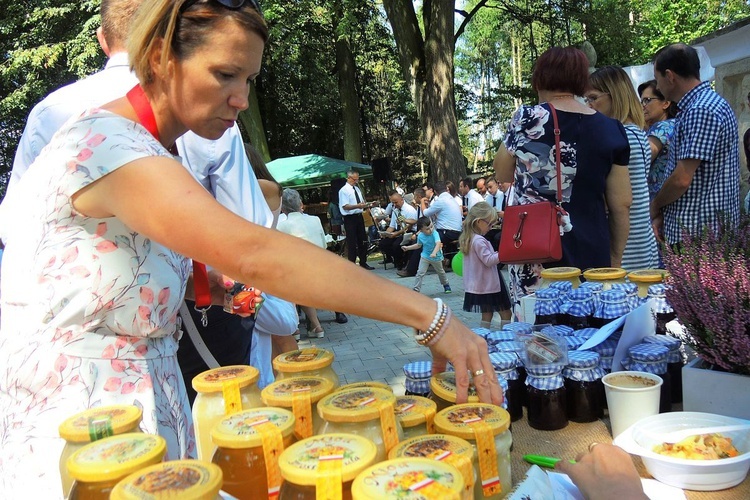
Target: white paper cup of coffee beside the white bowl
x,y
631,396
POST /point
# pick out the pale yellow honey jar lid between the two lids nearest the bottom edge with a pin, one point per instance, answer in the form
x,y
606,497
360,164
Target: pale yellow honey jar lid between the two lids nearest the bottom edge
x,y
299,462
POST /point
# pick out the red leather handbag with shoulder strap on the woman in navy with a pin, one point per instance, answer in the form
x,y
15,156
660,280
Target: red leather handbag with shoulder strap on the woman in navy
x,y
531,233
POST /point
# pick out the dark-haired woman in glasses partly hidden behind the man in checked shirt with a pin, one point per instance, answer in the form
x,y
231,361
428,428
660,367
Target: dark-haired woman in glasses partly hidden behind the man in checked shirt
x,y
660,122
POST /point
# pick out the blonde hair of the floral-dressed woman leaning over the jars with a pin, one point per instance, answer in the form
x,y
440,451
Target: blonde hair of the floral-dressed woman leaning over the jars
x,y
159,25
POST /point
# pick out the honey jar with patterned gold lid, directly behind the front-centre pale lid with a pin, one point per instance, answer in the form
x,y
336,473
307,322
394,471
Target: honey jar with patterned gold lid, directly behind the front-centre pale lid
x,y
367,411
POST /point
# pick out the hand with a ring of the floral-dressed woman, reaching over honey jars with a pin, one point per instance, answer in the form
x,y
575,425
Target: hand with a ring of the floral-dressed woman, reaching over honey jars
x,y
467,352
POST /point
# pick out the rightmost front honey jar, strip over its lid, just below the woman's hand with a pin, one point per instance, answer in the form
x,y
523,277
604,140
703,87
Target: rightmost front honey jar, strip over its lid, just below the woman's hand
x,y
486,427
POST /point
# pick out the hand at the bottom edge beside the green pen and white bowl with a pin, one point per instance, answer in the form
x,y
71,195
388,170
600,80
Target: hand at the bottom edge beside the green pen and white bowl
x,y
604,472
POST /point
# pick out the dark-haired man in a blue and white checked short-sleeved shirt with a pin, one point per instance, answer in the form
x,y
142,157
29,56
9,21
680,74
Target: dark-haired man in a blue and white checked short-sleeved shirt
x,y
704,185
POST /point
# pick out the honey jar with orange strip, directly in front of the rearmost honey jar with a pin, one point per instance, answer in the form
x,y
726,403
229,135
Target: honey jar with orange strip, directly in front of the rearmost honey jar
x,y
301,396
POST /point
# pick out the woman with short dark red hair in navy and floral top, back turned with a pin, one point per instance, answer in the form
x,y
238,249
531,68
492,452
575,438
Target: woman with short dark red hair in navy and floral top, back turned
x,y
595,182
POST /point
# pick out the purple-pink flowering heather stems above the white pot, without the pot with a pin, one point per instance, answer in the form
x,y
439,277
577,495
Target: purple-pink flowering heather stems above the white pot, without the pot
x,y
709,289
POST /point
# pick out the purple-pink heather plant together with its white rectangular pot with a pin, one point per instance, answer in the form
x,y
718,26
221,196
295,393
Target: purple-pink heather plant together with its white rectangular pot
x,y
709,289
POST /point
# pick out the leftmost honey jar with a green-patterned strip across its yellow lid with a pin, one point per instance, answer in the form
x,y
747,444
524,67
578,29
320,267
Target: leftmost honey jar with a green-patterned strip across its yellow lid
x,y
92,425
